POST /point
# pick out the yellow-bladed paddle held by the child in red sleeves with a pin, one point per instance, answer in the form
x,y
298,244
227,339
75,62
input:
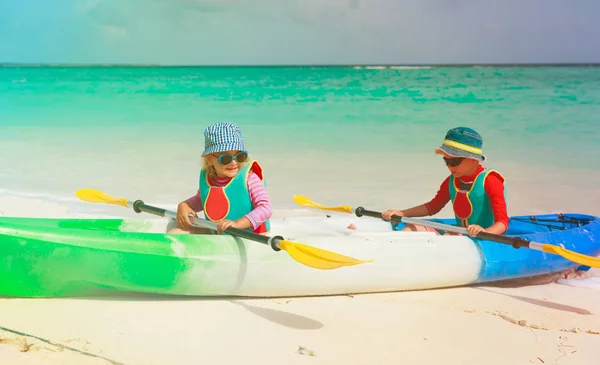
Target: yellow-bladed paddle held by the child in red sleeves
x,y
516,242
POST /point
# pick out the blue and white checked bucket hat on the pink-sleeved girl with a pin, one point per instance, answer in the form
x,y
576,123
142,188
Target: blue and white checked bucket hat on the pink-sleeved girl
x,y
223,136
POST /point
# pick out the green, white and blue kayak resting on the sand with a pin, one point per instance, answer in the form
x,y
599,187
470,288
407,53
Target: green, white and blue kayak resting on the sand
x,y
43,257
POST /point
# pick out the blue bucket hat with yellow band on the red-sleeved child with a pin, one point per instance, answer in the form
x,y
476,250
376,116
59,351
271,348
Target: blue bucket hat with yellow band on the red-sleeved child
x,y
462,142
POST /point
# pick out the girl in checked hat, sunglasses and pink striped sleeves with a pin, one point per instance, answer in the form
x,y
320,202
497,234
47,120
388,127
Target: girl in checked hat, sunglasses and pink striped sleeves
x,y
231,187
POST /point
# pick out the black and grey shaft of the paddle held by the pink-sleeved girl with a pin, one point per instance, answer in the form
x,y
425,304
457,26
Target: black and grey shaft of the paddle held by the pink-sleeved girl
x,y
139,206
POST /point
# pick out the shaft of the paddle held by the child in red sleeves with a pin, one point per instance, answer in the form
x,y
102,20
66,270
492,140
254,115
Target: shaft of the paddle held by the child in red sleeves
x,y
515,242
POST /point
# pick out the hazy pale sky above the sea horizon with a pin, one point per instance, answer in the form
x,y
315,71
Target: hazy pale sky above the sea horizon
x,y
297,32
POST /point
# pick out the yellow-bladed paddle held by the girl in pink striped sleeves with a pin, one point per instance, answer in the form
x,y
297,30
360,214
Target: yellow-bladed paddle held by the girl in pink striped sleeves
x,y
310,256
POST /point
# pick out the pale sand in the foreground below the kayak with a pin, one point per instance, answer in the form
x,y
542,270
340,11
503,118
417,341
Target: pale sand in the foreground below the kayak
x,y
536,324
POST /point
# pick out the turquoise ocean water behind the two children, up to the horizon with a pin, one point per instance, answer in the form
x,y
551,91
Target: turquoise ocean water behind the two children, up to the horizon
x,y
340,135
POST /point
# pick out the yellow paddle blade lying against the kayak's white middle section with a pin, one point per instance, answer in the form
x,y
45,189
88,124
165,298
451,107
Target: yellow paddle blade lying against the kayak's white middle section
x,y
318,258
